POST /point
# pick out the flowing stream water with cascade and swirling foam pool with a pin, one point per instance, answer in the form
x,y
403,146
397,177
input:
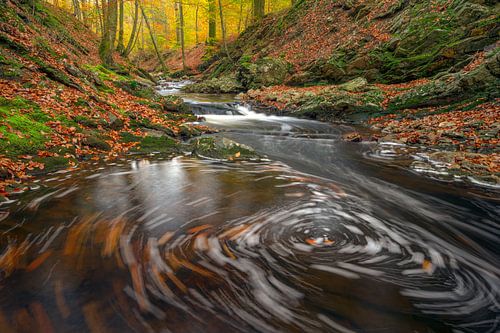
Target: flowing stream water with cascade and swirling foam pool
x,y
323,236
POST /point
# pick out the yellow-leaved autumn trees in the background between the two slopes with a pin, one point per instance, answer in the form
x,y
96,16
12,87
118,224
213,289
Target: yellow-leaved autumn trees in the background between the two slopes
x,y
123,25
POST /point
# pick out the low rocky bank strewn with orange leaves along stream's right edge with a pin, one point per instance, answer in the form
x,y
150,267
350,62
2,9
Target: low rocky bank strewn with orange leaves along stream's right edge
x,y
458,125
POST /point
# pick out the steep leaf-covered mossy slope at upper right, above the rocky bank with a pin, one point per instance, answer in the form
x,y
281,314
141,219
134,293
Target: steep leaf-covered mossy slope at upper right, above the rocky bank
x,y
388,41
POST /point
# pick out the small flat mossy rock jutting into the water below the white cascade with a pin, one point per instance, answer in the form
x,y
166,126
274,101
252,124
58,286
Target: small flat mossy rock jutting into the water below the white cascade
x,y
222,149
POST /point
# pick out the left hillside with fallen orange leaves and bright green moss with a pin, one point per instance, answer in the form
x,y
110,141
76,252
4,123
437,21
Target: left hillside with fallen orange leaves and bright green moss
x,y
59,106
